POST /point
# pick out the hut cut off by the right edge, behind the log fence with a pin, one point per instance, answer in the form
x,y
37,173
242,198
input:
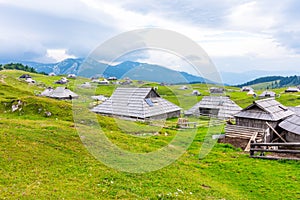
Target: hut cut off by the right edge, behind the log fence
x,y
291,128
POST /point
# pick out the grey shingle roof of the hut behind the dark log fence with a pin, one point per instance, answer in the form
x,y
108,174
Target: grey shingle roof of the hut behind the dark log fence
x,y
265,109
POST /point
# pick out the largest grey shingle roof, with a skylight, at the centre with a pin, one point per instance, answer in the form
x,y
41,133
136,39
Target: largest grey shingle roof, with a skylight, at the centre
x,y
136,102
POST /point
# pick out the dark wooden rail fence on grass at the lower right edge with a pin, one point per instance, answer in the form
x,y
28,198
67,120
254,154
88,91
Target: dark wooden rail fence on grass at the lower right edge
x,y
288,149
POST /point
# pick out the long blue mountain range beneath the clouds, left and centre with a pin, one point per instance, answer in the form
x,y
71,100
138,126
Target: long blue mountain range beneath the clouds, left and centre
x,y
133,70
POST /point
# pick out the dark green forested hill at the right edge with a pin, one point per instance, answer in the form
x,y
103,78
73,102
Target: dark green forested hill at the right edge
x,y
274,81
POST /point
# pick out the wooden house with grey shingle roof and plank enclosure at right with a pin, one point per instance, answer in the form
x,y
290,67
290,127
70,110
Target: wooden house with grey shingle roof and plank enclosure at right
x,y
252,123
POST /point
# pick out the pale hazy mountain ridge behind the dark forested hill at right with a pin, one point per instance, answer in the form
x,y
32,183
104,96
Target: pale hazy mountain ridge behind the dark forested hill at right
x,y
233,78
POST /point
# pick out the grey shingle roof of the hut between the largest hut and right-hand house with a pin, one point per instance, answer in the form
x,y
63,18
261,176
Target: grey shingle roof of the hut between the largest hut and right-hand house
x,y
227,108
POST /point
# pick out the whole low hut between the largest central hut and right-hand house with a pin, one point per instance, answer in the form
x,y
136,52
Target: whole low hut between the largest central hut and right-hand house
x,y
216,106
